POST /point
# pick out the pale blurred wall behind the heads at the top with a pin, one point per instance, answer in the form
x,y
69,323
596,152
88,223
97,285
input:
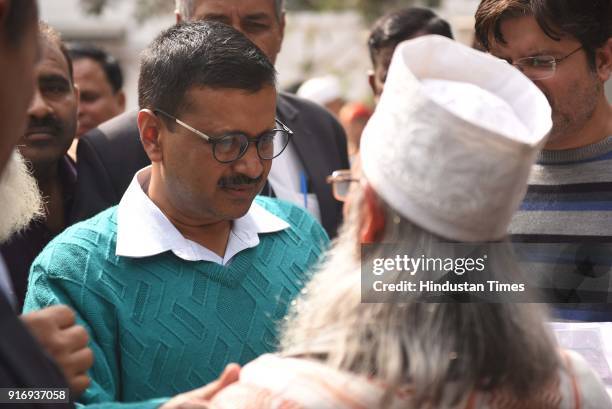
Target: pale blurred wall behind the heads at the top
x,y
321,38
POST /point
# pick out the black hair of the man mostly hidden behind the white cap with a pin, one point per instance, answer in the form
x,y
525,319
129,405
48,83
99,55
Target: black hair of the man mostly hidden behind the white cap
x,y
404,24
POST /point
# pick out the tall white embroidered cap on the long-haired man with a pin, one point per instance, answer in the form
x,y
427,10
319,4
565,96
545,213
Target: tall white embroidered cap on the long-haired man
x,y
452,141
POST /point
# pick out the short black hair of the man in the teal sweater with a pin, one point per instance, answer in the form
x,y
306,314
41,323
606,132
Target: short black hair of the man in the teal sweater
x,y
202,54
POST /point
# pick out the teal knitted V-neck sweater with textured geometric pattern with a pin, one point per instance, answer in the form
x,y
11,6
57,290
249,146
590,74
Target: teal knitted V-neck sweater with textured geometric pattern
x,y
161,325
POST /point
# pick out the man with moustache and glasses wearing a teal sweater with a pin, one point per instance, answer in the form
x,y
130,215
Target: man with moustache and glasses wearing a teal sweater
x,y
190,271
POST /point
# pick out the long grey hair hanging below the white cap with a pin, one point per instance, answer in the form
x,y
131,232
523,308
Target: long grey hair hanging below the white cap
x,y
444,352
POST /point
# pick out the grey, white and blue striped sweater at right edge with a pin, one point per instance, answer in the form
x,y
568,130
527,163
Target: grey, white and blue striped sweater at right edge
x,y
569,202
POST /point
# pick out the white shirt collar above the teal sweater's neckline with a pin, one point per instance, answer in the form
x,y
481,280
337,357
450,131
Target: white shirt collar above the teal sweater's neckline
x,y
143,230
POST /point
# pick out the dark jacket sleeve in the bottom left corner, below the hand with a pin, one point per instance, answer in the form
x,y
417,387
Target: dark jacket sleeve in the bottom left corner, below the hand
x,y
23,364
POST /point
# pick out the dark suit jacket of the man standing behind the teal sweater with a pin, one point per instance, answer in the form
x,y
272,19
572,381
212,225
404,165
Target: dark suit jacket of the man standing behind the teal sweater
x,y
109,156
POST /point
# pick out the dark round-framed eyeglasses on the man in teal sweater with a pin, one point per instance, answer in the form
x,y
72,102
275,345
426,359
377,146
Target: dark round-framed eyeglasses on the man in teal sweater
x,y
231,147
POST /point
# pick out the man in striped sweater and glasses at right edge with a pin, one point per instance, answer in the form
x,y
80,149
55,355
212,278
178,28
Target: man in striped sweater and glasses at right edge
x,y
565,47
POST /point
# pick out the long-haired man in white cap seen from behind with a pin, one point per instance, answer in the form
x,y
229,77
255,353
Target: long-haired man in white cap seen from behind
x,y
438,164
